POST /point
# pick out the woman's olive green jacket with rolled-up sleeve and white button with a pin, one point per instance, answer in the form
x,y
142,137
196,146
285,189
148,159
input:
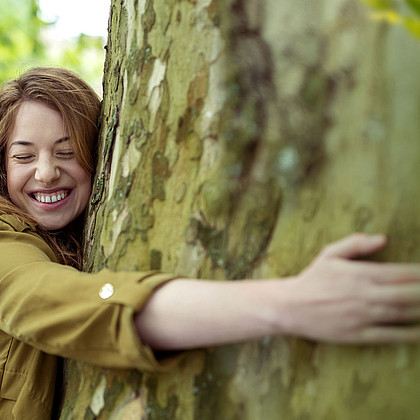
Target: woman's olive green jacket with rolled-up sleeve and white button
x,y
48,310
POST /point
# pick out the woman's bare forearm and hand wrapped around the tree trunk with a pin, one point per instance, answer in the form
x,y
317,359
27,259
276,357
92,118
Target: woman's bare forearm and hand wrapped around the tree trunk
x,y
336,299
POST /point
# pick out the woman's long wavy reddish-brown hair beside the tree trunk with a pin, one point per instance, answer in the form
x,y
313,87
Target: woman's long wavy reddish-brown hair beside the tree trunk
x,y
79,105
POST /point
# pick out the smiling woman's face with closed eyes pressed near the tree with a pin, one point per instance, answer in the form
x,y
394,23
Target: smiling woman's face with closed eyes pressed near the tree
x,y
44,178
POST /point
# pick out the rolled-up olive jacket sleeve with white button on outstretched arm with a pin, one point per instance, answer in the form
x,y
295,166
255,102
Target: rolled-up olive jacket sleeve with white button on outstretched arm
x,y
62,311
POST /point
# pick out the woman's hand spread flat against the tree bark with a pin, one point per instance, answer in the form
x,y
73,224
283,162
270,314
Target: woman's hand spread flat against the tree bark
x,y
342,300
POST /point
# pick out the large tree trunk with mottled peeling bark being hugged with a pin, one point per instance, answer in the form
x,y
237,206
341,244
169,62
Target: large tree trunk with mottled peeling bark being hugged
x,y
239,137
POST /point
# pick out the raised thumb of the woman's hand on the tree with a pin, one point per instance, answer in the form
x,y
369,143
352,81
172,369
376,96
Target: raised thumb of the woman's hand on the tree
x,y
355,245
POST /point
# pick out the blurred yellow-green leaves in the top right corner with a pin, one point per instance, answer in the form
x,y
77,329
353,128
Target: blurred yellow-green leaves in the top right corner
x,y
402,12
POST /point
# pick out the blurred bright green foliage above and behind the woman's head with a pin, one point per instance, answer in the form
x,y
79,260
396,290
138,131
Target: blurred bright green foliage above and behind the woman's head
x,y
24,43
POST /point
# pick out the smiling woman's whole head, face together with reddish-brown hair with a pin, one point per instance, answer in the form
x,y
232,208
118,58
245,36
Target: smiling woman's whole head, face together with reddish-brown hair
x,y
41,107
